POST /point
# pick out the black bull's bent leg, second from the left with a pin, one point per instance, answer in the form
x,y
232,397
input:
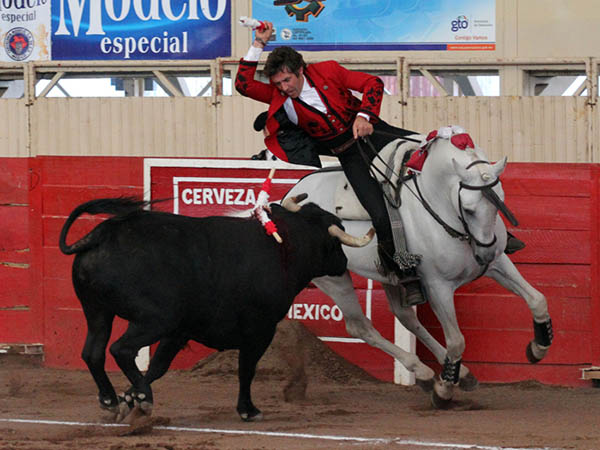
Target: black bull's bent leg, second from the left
x,y
124,350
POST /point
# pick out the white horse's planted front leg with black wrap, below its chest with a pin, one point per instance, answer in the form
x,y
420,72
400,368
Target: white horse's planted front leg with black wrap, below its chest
x,y
442,304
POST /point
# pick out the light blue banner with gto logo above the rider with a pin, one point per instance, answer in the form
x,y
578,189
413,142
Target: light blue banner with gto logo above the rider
x,y
381,24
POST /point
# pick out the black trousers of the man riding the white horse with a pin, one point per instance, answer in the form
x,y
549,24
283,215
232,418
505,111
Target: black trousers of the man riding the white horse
x,y
367,189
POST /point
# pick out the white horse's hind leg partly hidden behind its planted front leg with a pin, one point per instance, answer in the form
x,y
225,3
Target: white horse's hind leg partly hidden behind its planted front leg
x,y
408,318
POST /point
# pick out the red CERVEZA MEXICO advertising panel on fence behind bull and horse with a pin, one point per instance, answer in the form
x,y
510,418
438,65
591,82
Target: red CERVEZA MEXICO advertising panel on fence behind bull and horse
x,y
207,187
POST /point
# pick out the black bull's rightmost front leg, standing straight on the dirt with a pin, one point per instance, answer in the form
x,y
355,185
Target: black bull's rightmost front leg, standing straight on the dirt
x,y
249,356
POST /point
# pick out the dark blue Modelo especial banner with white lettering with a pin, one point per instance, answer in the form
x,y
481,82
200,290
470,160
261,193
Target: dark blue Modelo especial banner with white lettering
x,y
140,29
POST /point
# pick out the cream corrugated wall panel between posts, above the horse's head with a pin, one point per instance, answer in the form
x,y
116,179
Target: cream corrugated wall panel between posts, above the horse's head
x,y
535,129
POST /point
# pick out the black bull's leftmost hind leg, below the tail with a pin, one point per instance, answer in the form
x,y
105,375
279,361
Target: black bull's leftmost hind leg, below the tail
x,y
99,324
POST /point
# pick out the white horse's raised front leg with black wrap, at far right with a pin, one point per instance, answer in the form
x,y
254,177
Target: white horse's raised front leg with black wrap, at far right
x,y
504,272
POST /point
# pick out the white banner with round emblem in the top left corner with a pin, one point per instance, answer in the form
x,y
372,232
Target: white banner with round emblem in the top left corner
x,y
24,30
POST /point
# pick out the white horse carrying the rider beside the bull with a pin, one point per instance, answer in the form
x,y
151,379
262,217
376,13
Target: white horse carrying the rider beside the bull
x,y
450,216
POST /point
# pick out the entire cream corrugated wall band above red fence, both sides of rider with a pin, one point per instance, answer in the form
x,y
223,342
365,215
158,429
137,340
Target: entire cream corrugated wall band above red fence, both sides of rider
x,y
535,129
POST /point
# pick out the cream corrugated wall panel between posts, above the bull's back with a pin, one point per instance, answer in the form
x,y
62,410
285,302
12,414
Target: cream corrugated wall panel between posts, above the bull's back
x,y
124,127
